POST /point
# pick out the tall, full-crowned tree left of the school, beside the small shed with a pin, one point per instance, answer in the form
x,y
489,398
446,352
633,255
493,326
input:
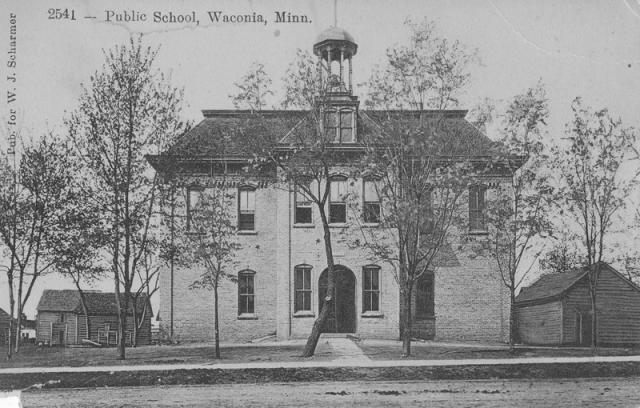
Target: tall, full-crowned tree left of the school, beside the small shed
x,y
128,110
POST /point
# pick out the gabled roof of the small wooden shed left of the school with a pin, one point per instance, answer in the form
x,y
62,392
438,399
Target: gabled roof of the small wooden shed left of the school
x,y
98,303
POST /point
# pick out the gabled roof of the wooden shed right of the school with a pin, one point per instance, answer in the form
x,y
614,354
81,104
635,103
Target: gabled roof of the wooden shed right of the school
x,y
553,286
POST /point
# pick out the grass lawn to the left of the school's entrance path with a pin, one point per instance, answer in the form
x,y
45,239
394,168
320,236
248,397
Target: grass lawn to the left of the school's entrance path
x,y
34,356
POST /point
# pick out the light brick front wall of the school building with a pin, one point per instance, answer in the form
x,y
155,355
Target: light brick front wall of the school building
x,y
471,303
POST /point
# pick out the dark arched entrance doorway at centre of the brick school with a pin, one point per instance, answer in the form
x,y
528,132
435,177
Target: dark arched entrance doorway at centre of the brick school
x,y
342,317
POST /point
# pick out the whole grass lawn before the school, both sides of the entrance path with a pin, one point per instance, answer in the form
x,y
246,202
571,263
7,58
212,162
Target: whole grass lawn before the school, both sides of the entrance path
x,y
33,356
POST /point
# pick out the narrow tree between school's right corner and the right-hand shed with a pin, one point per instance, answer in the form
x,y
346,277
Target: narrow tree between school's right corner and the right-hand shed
x,y
518,213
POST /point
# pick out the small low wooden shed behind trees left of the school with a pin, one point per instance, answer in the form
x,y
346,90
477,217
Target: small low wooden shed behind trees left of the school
x,y
61,321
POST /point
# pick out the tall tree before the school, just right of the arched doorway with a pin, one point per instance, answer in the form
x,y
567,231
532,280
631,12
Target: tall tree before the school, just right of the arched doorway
x,y
420,159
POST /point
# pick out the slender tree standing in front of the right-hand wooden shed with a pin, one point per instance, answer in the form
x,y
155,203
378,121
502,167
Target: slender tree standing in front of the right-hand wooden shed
x,y
593,185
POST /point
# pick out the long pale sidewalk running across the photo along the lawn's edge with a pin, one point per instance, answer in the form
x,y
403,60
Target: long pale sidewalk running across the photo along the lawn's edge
x,y
355,362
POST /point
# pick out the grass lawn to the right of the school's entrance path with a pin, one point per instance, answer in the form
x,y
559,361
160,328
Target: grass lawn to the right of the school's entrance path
x,y
377,350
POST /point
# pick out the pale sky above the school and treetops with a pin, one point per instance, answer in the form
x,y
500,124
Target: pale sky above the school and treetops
x,y
576,48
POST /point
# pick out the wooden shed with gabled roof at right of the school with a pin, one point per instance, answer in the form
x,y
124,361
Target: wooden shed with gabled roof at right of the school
x,y
556,310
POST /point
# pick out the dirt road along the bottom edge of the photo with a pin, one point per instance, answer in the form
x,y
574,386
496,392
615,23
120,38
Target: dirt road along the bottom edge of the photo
x,y
598,392
